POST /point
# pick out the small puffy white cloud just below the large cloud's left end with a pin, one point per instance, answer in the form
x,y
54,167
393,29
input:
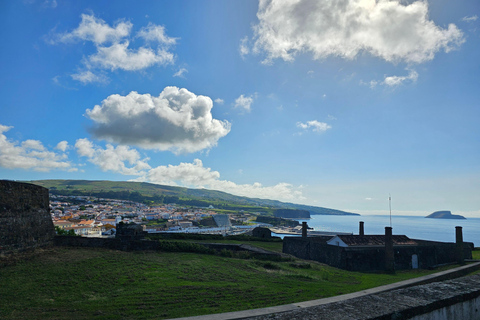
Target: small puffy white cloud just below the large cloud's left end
x,y
113,158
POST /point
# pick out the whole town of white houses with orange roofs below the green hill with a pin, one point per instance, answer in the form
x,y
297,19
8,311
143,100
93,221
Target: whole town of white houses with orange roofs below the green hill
x,y
97,217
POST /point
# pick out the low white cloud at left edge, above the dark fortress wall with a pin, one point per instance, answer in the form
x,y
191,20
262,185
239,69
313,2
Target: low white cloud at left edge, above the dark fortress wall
x,y
29,154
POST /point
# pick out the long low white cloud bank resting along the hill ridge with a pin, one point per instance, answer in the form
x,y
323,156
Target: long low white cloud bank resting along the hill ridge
x,y
197,176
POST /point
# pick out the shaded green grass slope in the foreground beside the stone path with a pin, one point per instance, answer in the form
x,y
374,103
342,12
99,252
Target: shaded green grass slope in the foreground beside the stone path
x,y
82,283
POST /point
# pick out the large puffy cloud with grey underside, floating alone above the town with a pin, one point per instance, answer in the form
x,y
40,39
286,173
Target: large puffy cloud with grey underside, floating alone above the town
x,y
176,120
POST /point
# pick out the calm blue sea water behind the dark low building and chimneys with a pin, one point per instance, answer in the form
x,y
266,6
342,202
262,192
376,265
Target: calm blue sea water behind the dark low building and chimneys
x,y
412,226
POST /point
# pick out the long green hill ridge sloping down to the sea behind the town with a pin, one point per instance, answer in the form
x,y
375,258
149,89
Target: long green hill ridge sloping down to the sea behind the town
x,y
155,191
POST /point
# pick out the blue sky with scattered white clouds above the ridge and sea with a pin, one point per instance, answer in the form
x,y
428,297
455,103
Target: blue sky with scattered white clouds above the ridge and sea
x,y
338,104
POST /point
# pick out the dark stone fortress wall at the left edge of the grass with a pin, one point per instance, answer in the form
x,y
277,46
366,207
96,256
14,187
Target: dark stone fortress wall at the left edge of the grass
x,y
25,221
